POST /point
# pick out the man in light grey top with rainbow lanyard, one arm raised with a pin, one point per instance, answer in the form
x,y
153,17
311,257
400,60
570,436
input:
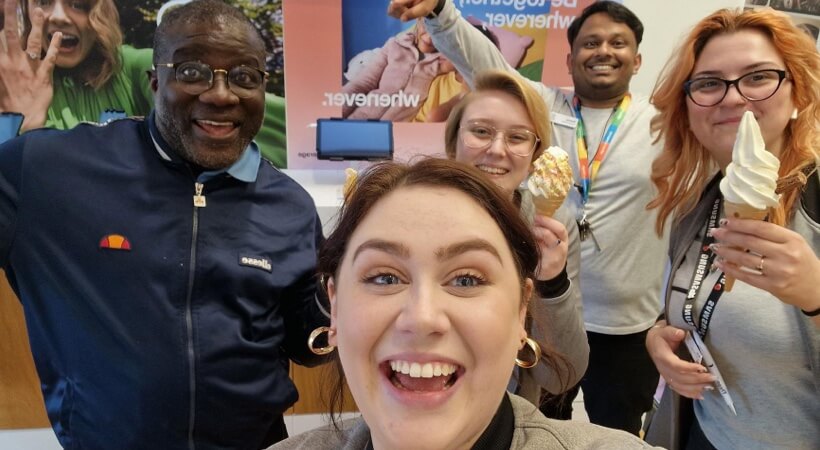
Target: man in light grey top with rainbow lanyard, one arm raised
x,y
605,130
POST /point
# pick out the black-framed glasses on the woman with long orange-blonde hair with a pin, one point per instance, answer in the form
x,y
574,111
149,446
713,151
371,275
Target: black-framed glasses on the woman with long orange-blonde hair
x,y
754,86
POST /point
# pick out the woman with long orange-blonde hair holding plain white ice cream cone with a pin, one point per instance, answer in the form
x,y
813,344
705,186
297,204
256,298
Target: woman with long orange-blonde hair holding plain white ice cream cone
x,y
762,335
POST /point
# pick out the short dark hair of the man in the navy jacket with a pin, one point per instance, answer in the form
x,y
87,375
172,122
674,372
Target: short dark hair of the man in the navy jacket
x,y
197,11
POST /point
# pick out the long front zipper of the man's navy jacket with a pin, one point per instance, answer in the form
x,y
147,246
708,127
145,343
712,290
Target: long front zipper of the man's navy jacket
x,y
199,202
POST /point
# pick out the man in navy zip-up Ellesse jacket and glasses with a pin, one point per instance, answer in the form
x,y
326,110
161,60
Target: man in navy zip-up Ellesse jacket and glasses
x,y
166,270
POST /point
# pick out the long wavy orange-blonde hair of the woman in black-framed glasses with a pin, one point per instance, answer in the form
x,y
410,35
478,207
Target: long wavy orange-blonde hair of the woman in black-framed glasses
x,y
684,166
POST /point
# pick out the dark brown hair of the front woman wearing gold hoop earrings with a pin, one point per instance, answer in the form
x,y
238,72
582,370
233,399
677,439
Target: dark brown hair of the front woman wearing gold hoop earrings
x,y
382,179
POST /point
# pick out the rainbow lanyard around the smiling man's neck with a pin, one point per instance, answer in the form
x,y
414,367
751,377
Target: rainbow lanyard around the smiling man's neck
x,y
581,141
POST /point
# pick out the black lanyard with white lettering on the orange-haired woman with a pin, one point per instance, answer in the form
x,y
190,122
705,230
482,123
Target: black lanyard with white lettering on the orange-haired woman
x,y
702,268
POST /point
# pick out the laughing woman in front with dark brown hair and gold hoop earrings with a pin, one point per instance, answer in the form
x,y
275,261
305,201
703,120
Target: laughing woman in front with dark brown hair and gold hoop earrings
x,y
429,273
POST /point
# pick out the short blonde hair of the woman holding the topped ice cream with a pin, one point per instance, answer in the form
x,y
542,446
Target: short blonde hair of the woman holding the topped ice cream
x,y
513,84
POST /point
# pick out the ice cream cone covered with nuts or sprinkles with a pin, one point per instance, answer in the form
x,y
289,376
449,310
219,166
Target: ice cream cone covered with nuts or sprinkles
x,y
550,181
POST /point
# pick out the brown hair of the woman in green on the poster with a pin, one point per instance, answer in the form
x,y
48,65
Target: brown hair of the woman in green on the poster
x,y
104,59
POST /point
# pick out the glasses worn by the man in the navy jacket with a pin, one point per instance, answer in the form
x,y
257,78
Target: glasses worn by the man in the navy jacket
x,y
197,77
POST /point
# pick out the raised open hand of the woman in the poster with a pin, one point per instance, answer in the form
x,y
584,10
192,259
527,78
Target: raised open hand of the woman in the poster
x,y
25,76
